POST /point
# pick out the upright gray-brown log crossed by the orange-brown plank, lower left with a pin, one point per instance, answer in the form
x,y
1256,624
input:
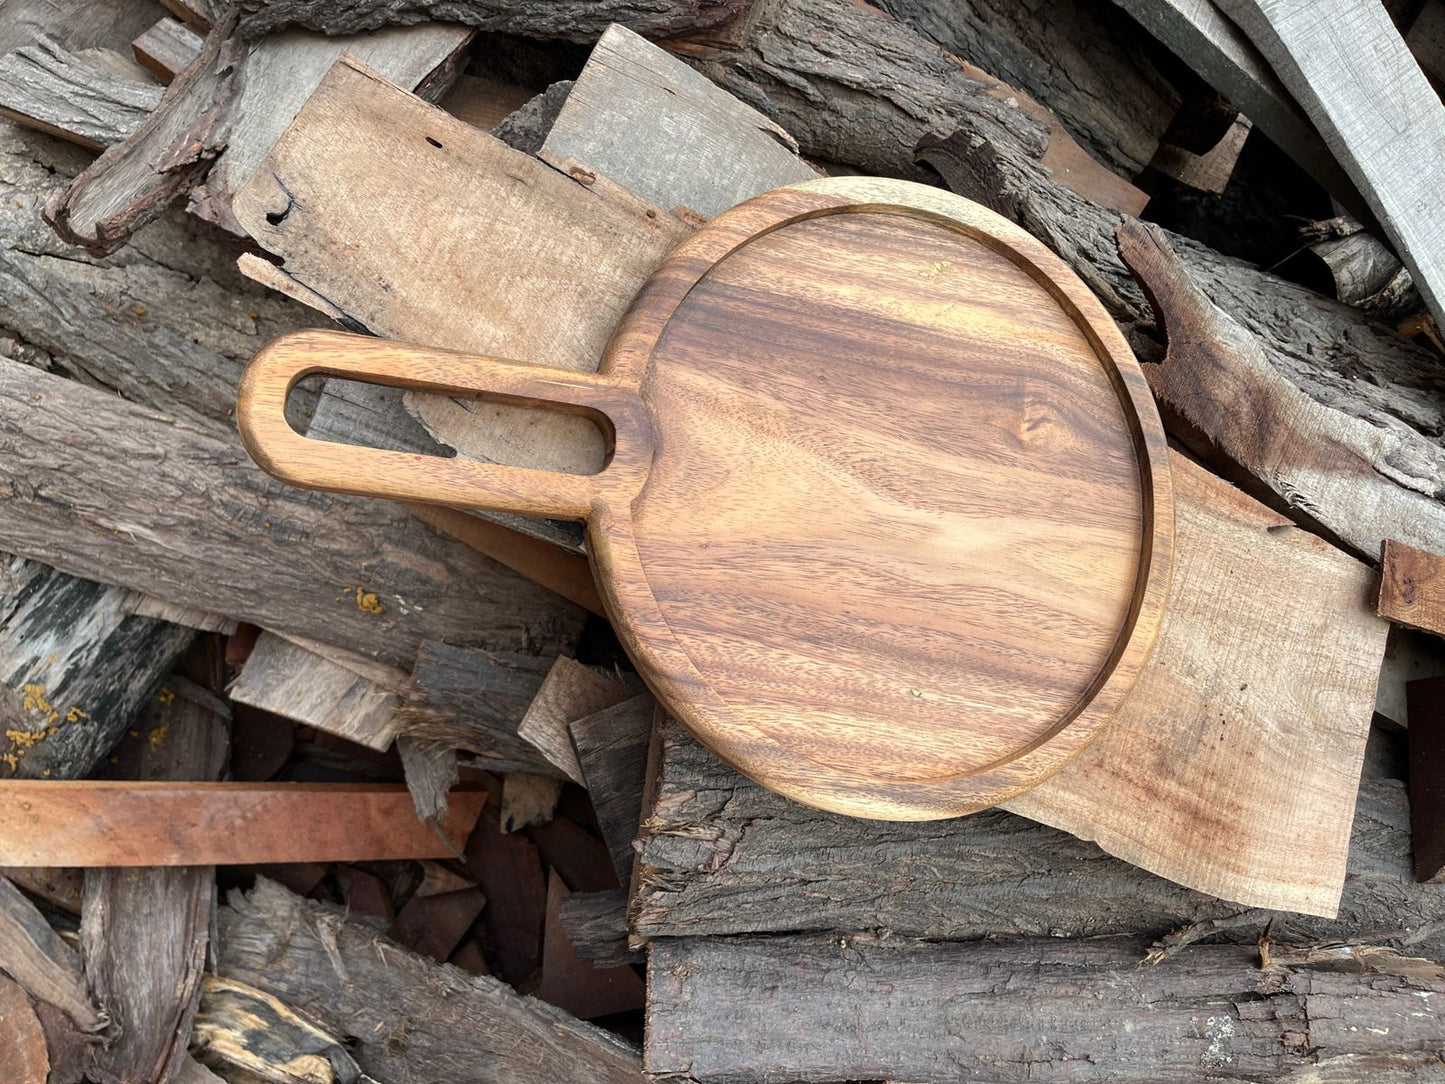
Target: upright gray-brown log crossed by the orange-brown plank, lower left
x,y
145,932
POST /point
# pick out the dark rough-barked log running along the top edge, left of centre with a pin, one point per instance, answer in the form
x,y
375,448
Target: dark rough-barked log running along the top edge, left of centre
x,y
573,21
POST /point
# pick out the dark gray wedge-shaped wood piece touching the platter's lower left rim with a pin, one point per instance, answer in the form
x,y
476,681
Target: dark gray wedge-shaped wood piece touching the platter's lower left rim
x,y
612,751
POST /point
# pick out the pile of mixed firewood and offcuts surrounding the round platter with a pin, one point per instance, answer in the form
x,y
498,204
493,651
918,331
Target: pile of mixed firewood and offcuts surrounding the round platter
x,y
410,814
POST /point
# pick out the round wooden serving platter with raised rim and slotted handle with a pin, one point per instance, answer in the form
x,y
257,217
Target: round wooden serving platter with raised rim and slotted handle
x,y
887,520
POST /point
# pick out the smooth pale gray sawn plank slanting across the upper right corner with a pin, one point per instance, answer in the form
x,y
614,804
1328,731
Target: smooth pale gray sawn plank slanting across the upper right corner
x,y
1352,73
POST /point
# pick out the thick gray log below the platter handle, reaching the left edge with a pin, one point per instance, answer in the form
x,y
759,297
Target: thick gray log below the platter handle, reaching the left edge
x,y
109,489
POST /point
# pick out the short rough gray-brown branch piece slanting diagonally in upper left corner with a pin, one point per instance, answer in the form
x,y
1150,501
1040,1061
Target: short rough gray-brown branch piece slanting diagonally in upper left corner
x,y
135,181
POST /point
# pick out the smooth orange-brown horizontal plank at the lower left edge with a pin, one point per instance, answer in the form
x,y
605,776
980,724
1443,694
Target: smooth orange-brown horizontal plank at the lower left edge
x,y
96,823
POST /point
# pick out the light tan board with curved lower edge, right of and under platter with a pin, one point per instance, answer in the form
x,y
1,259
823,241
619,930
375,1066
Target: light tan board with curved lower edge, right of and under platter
x,y
1248,728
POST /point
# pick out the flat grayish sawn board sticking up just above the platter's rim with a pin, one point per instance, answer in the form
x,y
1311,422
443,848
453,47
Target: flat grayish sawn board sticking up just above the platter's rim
x,y
703,148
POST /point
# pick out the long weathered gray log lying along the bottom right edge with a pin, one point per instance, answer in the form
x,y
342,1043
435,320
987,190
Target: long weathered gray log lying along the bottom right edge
x,y
736,1011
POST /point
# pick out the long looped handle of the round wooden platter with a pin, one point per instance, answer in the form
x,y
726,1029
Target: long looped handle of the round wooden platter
x,y
282,452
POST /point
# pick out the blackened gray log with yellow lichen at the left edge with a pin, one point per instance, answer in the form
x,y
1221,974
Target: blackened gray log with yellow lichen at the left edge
x,y
76,667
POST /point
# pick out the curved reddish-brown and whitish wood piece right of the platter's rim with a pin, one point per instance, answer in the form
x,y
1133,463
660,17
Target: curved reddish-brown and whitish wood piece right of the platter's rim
x,y
1360,479
